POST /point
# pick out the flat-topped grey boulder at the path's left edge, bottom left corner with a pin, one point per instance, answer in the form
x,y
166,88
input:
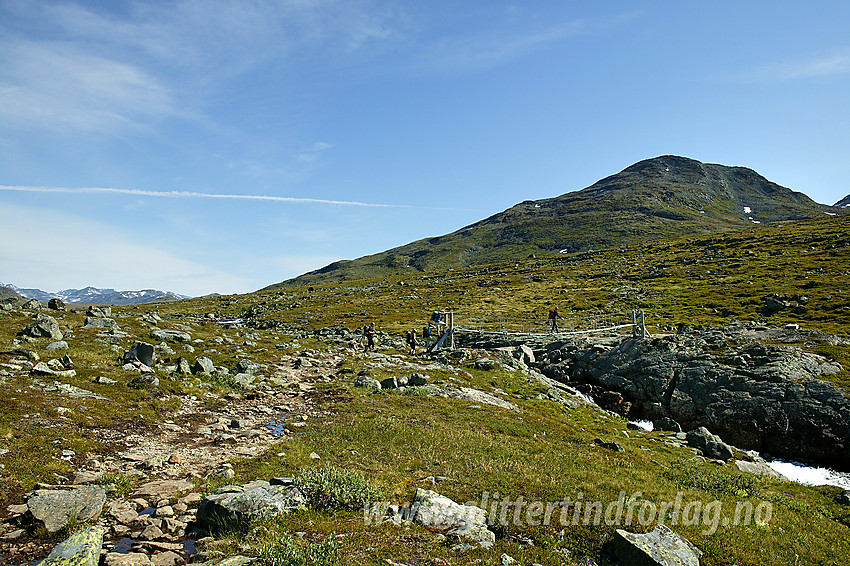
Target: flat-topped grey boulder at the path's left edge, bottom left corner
x,y
57,508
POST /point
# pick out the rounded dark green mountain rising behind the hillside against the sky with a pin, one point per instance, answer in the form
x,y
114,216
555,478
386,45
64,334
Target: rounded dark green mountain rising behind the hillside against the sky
x,y
657,198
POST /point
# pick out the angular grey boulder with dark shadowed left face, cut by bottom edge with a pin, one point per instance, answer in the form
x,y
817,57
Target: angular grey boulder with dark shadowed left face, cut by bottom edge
x,y
659,547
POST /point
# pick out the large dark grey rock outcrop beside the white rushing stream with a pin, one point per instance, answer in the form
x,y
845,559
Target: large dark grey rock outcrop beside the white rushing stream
x,y
754,395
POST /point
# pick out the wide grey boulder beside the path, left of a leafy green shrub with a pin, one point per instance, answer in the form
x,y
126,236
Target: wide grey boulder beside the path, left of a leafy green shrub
x,y
232,506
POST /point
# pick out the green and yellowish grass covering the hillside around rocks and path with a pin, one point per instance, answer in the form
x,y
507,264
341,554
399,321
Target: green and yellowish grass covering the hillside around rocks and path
x,y
389,443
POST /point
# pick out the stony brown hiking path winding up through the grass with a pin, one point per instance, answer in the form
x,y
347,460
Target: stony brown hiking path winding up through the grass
x,y
152,524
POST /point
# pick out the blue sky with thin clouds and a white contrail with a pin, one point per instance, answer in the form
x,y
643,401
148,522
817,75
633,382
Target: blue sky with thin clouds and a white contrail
x,y
221,146
